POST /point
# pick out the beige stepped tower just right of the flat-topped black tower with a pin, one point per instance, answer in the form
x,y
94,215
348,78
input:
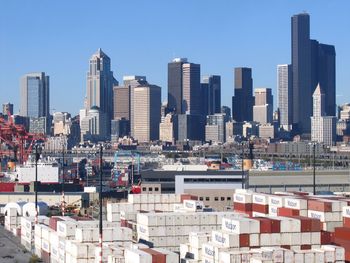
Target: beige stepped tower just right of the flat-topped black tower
x,y
263,108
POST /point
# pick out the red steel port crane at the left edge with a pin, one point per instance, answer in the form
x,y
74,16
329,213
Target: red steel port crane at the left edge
x,y
19,143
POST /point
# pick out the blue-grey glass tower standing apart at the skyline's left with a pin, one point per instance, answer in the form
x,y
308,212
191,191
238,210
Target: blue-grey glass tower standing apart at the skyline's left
x,y
35,95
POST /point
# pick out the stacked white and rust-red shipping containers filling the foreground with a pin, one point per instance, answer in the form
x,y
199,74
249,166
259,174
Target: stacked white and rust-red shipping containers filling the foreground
x,y
281,227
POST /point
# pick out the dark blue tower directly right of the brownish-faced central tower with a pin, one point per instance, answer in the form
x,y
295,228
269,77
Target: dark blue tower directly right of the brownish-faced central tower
x,y
211,94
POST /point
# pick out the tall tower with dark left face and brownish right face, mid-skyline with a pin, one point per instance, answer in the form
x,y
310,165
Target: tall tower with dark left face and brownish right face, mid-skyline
x,y
184,87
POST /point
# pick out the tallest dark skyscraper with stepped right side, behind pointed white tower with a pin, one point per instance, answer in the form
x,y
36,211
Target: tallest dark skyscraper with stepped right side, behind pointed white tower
x,y
313,63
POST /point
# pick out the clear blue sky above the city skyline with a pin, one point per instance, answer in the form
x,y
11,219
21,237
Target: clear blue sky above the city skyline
x,y
141,37
